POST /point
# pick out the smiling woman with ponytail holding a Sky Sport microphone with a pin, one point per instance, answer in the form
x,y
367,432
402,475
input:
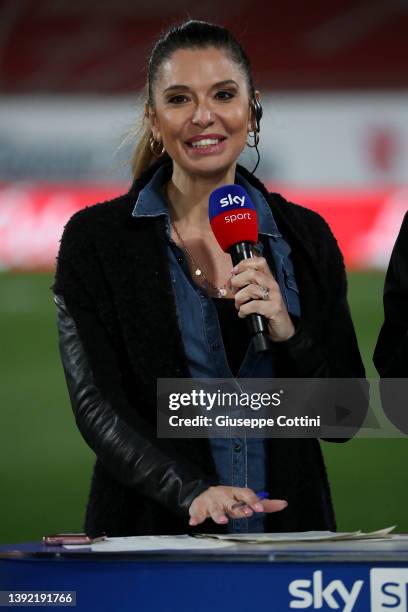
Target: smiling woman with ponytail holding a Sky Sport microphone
x,y
145,292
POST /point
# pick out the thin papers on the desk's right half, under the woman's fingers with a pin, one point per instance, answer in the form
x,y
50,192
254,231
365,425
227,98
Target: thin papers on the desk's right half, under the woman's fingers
x,y
299,536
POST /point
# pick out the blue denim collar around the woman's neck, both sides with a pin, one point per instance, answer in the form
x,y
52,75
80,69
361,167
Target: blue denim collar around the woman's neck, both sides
x,y
152,203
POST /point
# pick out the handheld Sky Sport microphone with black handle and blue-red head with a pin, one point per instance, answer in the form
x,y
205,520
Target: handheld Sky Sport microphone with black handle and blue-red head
x,y
235,225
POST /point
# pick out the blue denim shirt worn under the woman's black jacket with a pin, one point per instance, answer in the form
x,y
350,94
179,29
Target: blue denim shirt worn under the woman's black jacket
x,y
240,462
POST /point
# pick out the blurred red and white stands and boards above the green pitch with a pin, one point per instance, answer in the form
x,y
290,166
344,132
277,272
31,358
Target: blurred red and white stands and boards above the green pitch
x,y
334,135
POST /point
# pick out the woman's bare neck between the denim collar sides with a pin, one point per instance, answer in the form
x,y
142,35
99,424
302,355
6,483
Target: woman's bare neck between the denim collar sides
x,y
188,196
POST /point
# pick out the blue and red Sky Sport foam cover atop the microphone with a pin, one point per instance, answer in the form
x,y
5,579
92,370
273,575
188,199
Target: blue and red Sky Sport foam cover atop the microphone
x,y
232,216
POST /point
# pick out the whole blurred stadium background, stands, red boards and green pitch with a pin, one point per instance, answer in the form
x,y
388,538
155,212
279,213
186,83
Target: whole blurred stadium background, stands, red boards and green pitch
x,y
334,137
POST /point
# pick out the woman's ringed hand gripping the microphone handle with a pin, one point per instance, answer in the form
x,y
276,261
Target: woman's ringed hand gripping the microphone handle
x,y
256,291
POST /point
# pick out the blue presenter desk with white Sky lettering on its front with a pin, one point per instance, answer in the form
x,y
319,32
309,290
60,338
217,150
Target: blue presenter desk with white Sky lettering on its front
x,y
352,576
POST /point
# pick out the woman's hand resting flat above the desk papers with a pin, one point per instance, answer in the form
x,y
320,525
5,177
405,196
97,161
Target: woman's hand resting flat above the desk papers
x,y
216,503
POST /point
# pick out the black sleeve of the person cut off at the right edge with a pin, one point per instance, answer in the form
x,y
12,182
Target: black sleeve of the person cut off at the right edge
x,y
391,351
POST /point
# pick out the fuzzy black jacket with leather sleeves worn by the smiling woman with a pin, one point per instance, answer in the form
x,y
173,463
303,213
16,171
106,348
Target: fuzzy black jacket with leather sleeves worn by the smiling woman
x,y
118,331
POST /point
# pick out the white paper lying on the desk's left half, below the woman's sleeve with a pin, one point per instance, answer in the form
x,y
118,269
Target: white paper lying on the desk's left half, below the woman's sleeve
x,y
146,543
